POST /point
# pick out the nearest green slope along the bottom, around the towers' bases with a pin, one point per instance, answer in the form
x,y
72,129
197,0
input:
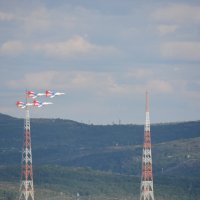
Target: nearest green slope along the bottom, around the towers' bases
x,y
61,183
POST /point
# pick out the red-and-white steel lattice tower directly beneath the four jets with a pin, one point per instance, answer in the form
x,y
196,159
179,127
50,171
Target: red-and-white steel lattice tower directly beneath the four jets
x,y
26,185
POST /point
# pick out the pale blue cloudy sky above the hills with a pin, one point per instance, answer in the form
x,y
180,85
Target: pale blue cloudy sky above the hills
x,y
104,55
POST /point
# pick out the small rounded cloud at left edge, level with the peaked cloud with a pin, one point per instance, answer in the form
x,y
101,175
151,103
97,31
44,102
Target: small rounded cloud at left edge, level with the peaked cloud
x,y
12,48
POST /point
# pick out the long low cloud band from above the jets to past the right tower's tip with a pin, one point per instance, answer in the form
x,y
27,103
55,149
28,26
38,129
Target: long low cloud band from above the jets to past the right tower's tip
x,y
100,84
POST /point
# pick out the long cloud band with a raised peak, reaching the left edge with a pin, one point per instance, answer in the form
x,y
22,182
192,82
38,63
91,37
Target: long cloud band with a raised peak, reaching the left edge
x,y
65,49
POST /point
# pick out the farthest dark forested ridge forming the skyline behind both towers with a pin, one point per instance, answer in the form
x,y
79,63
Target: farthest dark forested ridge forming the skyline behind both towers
x,y
47,132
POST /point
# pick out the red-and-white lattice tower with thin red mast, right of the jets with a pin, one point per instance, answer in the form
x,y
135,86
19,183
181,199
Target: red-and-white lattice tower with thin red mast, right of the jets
x,y
146,188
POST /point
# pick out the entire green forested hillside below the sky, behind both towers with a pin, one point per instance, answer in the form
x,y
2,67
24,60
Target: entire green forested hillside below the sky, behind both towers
x,y
100,162
